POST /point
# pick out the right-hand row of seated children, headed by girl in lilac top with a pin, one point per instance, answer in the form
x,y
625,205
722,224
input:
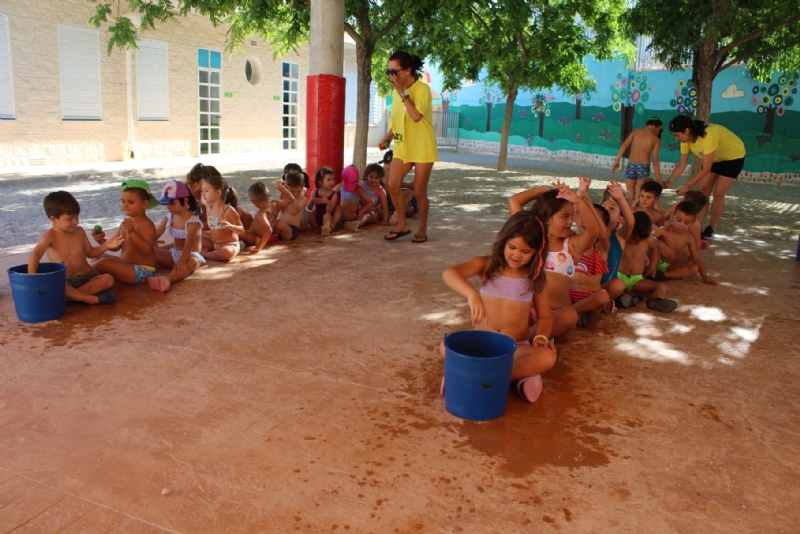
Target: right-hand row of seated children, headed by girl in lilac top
x,y
541,279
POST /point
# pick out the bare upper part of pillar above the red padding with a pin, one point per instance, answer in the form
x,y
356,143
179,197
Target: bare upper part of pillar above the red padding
x,y
327,37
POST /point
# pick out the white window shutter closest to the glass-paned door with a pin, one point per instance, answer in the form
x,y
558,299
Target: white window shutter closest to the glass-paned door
x,y
152,80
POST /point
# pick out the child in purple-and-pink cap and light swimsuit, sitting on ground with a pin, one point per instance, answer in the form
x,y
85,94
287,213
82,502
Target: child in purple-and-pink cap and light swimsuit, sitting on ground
x,y
185,228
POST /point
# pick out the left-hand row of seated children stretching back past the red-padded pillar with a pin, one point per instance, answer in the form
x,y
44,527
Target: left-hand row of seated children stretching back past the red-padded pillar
x,y
205,222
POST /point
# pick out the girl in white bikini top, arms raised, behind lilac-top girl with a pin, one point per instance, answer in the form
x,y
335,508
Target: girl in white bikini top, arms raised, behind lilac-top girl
x,y
556,207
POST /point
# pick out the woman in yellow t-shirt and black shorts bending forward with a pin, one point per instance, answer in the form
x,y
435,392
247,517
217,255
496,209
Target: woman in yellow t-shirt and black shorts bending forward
x,y
723,159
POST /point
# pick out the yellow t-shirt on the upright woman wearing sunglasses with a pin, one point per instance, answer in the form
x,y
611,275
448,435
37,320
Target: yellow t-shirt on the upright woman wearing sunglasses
x,y
414,142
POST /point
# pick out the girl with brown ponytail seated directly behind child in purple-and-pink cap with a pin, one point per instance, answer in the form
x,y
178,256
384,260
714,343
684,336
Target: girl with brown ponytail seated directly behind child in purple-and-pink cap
x,y
224,223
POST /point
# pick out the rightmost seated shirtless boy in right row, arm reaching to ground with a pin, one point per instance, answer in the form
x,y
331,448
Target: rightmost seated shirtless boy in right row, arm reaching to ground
x,y
674,238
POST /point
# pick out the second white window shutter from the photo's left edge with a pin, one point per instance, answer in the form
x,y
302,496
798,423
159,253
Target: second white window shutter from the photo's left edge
x,y
79,60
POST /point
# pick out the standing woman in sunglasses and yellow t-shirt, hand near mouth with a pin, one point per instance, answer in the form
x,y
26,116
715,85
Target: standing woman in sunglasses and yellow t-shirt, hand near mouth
x,y
411,128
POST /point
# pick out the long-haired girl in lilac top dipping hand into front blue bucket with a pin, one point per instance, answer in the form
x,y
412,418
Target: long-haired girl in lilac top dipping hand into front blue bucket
x,y
511,279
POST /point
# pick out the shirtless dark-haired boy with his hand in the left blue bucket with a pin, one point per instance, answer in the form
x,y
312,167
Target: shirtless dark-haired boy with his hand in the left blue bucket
x,y
66,242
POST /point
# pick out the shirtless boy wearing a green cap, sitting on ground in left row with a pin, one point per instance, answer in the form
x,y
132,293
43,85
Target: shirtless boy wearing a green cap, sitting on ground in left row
x,y
137,260
